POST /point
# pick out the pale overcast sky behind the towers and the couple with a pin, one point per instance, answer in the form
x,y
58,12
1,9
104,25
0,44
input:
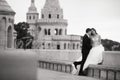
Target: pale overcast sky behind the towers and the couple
x,y
103,15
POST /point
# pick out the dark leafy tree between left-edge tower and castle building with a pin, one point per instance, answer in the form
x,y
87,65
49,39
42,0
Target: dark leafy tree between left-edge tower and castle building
x,y
23,39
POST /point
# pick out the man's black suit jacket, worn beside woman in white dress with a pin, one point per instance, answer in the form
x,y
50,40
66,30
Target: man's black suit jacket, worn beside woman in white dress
x,y
86,45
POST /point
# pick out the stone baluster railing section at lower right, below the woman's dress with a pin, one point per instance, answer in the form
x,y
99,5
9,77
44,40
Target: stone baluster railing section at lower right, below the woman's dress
x,y
104,72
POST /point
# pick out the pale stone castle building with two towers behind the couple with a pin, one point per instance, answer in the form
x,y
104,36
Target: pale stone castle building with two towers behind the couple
x,y
50,32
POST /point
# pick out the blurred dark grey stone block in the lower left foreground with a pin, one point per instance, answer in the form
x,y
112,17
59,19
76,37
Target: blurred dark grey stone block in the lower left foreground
x,y
18,65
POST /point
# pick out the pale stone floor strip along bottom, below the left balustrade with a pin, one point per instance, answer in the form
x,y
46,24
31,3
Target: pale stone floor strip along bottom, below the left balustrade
x,y
44,74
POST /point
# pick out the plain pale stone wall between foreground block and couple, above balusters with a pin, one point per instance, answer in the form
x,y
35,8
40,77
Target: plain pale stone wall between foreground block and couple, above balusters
x,y
62,55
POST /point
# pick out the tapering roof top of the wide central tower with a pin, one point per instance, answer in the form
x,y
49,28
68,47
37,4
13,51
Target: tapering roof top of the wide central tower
x,y
52,4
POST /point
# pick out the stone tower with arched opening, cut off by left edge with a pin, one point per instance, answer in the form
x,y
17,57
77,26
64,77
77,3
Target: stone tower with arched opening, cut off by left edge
x,y
6,25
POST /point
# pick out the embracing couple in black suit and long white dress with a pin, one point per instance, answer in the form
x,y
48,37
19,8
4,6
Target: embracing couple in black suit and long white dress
x,y
91,50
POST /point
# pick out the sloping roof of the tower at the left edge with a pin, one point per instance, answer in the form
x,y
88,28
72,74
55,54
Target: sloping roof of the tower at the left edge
x,y
4,7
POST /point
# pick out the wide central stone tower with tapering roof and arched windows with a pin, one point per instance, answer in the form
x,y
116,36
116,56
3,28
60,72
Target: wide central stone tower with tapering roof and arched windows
x,y
52,22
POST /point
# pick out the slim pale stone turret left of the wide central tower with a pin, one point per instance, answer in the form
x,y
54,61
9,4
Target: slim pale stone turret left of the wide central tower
x,y
32,17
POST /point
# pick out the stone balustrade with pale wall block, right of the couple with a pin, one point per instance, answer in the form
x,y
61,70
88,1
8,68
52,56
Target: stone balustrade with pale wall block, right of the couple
x,y
110,69
